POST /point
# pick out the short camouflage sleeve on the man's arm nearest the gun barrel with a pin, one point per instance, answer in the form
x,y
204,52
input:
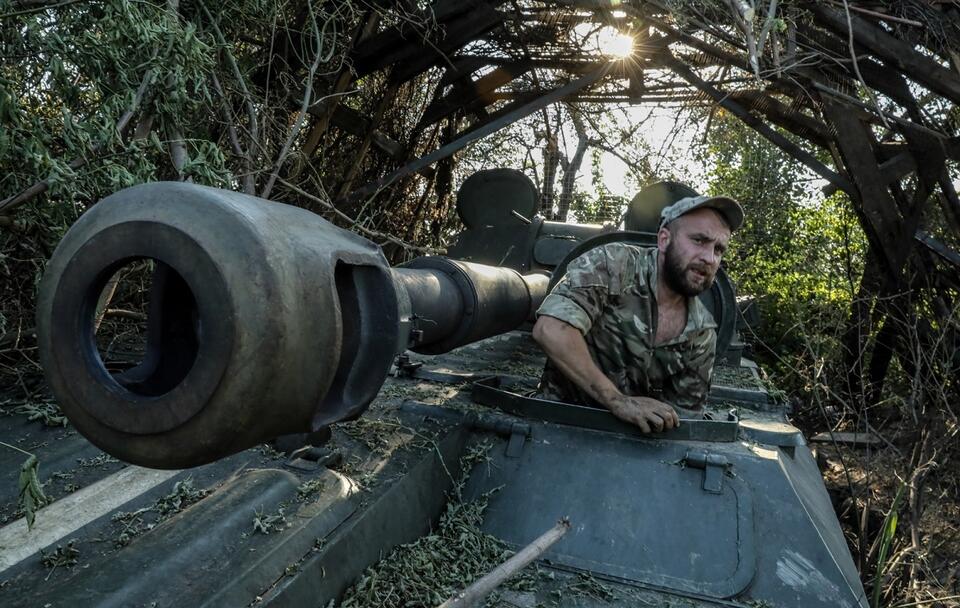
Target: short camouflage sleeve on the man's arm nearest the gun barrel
x,y
581,295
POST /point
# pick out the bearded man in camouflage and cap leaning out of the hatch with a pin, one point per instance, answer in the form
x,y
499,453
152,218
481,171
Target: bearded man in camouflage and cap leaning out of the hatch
x,y
624,329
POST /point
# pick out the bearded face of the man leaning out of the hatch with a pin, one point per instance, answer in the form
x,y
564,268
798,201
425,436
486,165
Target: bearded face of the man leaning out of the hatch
x,y
692,246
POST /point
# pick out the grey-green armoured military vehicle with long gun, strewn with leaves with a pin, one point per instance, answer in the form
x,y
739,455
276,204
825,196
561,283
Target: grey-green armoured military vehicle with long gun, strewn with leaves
x,y
268,324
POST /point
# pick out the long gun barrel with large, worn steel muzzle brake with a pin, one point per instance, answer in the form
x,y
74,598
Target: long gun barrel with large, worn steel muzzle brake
x,y
264,320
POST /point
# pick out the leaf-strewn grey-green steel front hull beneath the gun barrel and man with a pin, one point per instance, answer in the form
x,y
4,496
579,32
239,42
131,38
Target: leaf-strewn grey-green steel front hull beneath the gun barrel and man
x,y
656,521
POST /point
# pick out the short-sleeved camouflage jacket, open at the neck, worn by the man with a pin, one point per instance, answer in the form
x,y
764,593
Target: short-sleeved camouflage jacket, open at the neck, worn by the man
x,y
609,294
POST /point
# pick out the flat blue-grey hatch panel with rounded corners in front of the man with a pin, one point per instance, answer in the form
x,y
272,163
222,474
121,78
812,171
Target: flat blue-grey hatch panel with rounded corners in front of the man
x,y
665,515
